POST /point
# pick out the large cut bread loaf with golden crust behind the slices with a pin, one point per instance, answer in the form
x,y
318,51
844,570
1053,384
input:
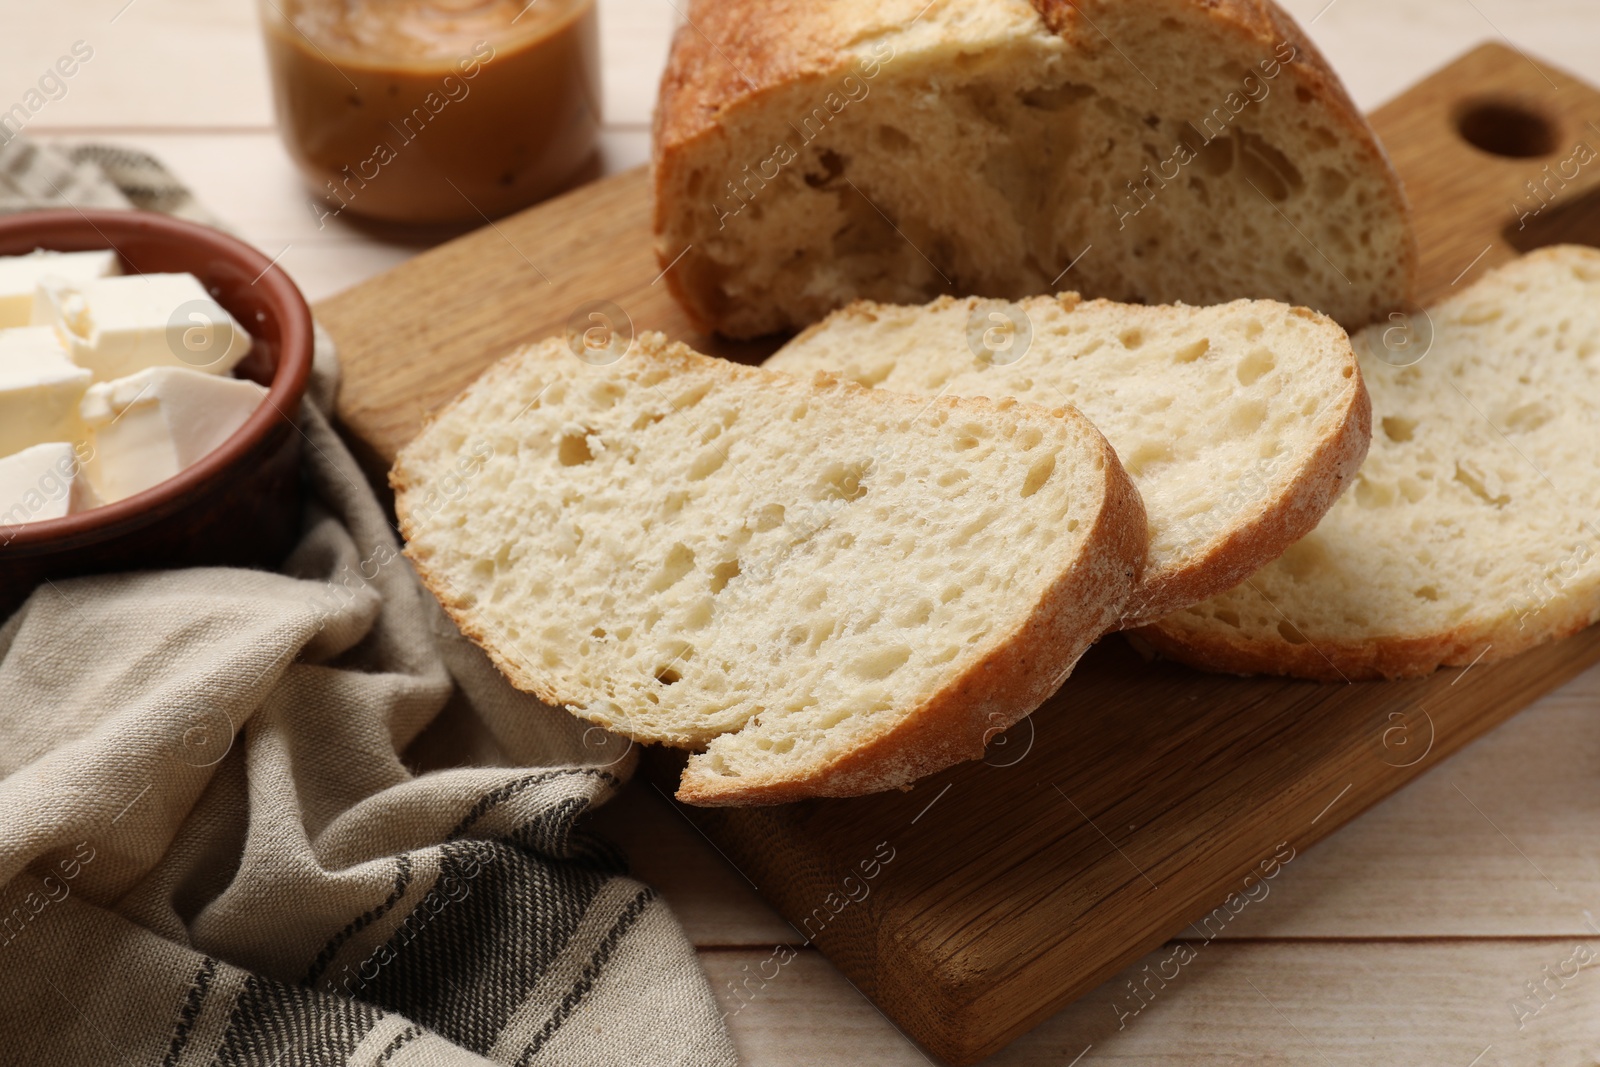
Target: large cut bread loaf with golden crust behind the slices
x,y
1199,151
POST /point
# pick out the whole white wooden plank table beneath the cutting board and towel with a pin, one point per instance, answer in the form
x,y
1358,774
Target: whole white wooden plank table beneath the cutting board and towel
x,y
1407,938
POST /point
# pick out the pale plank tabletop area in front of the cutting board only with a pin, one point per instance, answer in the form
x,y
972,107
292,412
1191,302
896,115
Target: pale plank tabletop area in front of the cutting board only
x,y
1450,865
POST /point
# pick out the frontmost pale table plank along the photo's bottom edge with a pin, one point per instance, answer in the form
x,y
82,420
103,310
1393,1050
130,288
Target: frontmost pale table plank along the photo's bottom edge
x,y
1431,1004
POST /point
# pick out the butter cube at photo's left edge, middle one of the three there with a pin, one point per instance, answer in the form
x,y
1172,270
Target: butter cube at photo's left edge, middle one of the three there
x,y
41,390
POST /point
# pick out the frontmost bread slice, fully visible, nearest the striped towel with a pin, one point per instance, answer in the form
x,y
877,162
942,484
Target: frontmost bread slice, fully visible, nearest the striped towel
x,y
828,589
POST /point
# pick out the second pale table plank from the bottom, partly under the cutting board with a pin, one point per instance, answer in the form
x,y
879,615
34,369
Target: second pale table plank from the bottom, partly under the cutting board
x,y
1494,844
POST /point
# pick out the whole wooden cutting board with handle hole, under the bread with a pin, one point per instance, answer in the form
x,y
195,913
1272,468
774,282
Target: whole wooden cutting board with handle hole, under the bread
x,y
1130,807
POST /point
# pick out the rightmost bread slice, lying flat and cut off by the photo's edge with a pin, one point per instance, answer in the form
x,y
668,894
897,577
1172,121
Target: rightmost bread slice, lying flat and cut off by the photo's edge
x,y
1473,532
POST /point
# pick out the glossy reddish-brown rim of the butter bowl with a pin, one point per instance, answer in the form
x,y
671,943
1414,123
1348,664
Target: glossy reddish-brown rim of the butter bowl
x,y
290,380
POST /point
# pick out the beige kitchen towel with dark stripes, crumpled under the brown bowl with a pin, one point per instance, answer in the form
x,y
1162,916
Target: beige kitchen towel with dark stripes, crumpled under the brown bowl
x,y
295,820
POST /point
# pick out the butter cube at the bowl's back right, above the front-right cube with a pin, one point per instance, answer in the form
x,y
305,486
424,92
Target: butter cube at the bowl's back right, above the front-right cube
x,y
118,327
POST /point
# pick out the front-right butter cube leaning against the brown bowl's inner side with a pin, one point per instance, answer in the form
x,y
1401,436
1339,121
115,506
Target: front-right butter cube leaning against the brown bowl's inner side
x,y
150,426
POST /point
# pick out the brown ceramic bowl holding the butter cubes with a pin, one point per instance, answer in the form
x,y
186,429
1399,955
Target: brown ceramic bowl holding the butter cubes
x,y
238,506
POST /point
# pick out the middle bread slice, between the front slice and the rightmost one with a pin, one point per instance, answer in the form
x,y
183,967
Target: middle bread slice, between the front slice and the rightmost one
x,y
1239,423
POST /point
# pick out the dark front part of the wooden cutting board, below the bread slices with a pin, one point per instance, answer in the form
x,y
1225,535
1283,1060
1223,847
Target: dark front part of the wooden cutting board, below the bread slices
x,y
1148,796
